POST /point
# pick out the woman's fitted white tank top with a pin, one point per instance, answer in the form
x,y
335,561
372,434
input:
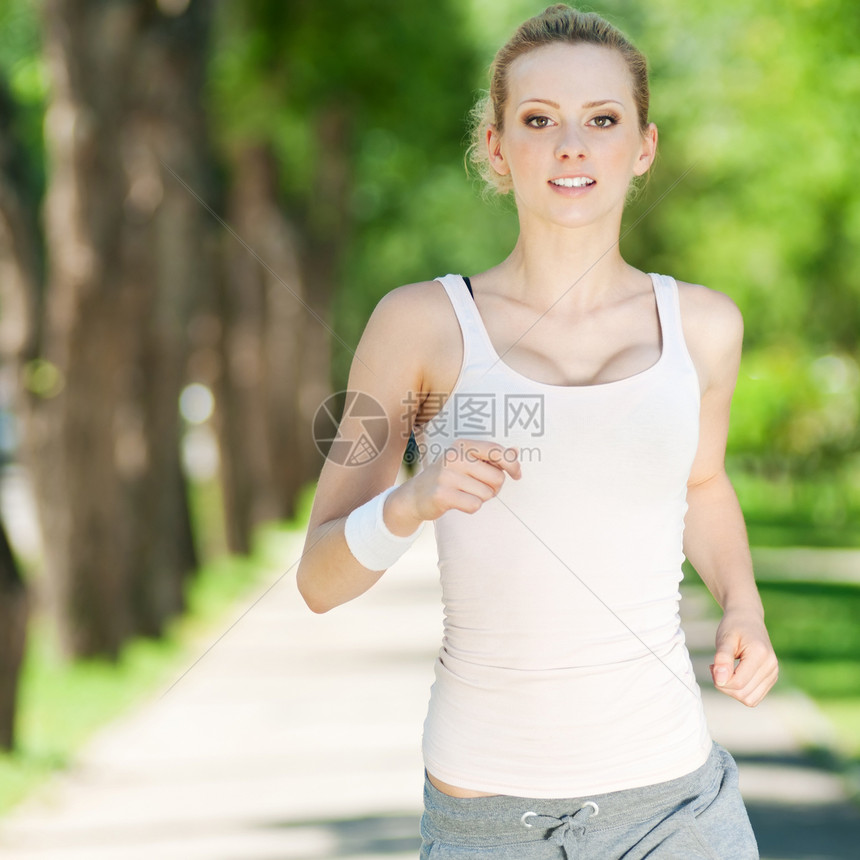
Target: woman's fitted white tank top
x,y
563,670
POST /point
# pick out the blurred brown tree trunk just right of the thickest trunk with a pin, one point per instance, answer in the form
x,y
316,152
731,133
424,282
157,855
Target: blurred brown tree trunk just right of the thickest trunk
x,y
263,315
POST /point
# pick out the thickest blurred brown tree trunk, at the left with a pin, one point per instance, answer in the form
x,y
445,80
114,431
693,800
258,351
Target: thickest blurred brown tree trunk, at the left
x,y
124,243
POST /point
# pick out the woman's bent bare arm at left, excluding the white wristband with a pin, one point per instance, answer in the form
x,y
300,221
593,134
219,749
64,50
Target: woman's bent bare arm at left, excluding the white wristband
x,y
389,367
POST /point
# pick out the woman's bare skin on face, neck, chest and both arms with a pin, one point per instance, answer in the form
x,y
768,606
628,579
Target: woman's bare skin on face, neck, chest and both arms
x,y
604,327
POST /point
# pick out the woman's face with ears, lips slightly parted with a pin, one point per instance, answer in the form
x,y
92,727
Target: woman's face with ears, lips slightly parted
x,y
571,140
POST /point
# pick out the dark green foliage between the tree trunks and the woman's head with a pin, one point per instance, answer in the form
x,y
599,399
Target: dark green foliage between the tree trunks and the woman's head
x,y
280,69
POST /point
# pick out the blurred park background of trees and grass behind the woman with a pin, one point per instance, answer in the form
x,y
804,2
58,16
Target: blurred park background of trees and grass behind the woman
x,y
200,205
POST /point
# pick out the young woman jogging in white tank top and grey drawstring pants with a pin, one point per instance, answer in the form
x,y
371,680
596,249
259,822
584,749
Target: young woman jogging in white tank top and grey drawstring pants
x,y
572,426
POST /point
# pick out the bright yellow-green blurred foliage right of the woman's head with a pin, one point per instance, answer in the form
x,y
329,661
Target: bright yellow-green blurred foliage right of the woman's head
x,y
748,94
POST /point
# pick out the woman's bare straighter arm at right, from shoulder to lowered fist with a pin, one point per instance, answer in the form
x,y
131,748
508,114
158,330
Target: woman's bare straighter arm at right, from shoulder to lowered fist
x,y
715,538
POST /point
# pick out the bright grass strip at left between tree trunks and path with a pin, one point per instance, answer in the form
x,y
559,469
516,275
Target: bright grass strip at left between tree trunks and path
x,y
61,704
